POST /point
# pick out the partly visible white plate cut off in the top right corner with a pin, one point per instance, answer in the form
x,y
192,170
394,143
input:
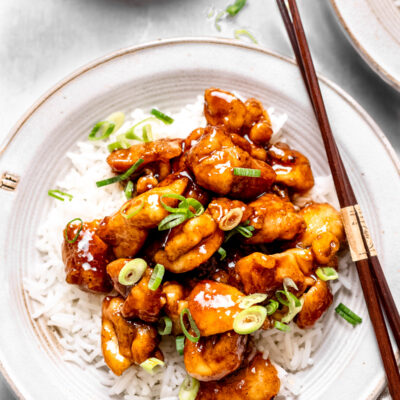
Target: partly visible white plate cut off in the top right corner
x,y
373,27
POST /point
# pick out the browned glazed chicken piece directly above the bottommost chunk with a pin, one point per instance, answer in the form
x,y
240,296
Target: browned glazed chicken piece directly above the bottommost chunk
x,y
214,357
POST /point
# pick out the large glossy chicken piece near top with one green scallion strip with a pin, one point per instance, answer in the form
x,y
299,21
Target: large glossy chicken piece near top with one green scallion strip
x,y
212,160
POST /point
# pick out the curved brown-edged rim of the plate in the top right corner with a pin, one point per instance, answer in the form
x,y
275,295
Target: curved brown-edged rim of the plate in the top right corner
x,y
362,51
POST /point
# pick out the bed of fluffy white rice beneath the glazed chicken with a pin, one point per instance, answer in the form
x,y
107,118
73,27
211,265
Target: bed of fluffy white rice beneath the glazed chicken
x,y
76,315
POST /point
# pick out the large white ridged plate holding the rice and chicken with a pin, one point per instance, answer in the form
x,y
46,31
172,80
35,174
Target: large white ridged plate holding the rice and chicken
x,y
170,74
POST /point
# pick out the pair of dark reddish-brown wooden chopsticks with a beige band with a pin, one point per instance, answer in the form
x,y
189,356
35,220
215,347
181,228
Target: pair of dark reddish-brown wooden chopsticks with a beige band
x,y
375,288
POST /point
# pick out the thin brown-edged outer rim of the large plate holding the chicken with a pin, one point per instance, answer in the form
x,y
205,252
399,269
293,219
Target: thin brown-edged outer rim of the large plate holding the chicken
x,y
190,40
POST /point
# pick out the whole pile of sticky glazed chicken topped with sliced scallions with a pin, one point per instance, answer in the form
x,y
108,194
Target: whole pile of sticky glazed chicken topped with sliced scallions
x,y
219,241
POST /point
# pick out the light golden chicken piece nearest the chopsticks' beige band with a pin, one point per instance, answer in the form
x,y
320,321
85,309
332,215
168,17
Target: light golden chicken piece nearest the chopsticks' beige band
x,y
320,218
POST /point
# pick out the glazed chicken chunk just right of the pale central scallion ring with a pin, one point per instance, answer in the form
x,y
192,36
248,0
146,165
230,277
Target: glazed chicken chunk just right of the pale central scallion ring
x,y
274,219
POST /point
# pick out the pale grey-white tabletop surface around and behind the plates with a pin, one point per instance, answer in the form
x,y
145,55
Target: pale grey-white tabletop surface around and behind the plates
x,y
41,41
